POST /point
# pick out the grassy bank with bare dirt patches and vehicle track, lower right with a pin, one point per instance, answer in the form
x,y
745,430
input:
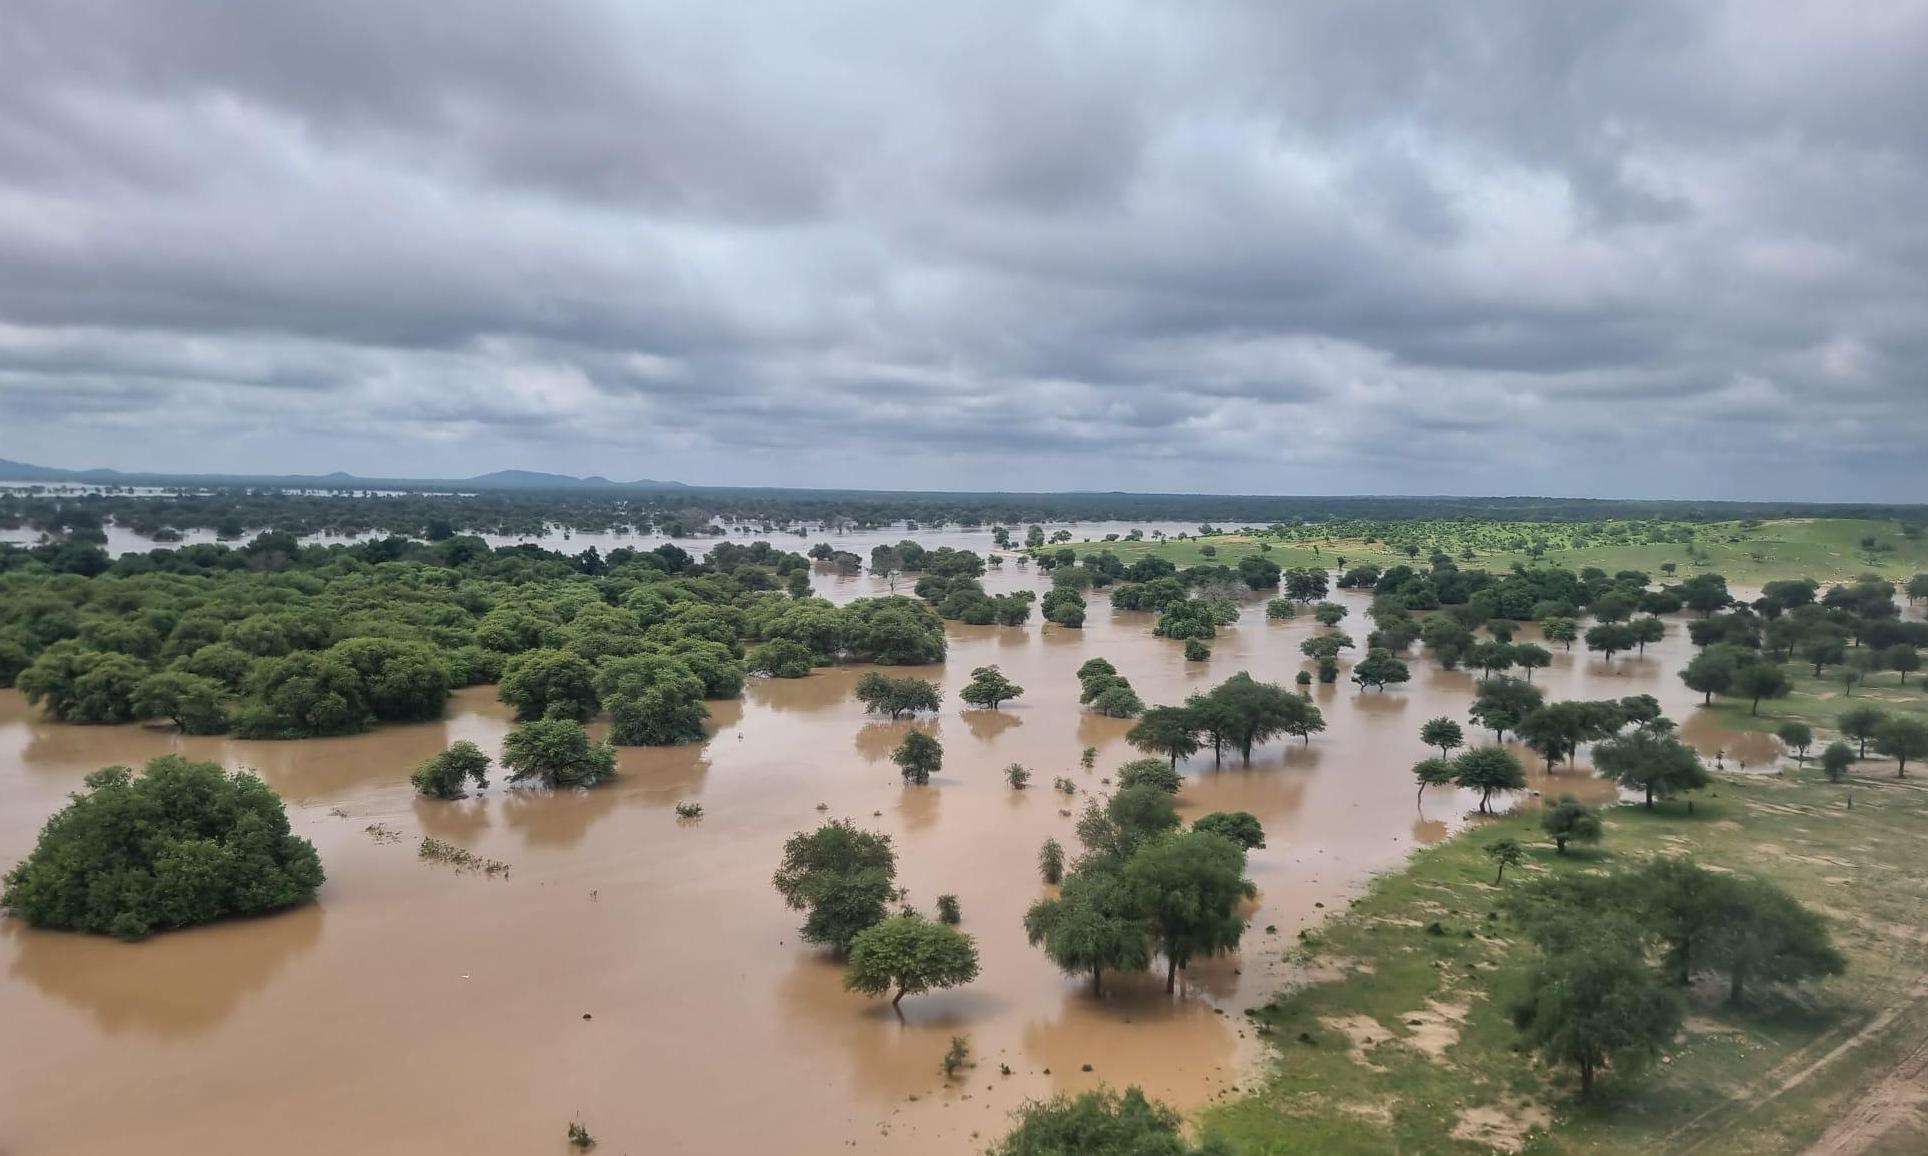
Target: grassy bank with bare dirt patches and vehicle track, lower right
x,y
1424,966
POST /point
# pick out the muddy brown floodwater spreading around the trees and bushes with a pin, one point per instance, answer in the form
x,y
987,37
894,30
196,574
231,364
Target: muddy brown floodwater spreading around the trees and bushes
x,y
639,974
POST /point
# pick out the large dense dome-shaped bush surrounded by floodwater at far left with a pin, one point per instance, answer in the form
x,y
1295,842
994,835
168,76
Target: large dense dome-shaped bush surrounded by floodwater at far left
x,y
176,847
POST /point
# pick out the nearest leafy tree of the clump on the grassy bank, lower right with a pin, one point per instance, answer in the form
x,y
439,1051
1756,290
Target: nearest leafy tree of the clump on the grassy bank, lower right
x,y
1597,1003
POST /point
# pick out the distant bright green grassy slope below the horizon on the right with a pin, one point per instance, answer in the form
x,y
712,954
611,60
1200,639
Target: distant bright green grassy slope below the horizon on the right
x,y
1748,554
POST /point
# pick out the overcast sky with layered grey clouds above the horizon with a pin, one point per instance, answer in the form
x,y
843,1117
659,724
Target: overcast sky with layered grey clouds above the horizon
x,y
1580,250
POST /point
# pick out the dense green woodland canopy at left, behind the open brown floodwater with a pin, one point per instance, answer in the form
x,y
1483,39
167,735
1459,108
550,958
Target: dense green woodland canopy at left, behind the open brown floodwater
x,y
281,641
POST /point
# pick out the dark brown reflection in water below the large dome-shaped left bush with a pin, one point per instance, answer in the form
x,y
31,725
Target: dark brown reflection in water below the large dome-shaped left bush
x,y
174,985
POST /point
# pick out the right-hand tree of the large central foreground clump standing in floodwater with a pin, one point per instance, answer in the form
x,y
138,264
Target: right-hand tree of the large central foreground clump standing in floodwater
x,y
1189,889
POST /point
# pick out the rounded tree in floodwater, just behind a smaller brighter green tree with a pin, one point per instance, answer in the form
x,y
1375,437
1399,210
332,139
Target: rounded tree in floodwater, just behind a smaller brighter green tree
x,y
842,878
